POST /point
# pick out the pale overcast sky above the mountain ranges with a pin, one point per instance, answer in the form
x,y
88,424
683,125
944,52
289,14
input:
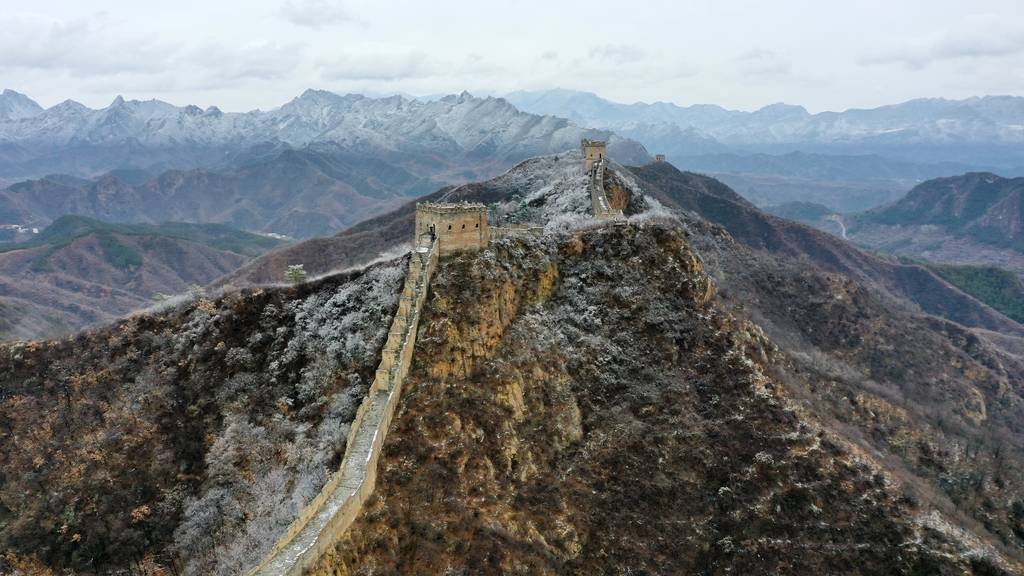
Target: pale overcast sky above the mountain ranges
x,y
824,55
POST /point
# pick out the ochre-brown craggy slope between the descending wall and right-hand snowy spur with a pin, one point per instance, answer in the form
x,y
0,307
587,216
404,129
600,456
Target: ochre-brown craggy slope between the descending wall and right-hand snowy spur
x,y
584,406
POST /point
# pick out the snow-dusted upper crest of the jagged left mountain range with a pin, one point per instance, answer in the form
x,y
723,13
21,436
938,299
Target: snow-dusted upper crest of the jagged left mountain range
x,y
462,125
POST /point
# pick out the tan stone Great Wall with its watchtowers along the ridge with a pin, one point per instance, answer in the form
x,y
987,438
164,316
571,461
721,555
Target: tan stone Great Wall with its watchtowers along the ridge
x,y
441,230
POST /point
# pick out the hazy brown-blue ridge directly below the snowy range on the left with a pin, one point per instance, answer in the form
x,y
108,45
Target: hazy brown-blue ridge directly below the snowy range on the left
x,y
314,191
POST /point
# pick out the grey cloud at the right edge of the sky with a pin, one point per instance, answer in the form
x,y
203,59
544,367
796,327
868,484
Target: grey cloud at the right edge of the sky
x,y
979,39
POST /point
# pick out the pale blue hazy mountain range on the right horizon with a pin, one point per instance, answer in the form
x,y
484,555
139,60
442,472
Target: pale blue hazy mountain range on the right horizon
x,y
988,131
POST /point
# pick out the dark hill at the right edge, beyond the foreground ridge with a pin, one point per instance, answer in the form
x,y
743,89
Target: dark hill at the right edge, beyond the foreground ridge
x,y
974,219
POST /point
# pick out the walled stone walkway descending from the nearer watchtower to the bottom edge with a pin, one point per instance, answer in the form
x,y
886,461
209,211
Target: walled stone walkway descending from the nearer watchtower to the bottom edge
x,y
334,510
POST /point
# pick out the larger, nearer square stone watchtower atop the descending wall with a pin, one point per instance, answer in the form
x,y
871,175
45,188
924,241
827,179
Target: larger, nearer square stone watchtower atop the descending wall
x,y
457,227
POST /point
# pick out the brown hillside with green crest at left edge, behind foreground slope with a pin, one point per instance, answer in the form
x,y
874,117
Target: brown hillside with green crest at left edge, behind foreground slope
x,y
80,272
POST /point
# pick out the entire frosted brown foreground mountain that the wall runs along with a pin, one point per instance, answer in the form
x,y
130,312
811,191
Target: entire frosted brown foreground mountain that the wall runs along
x,y
703,389
